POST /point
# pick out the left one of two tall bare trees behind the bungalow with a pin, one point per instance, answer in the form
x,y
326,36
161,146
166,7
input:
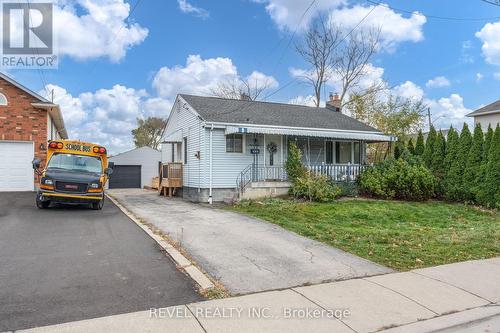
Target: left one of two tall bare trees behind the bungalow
x,y
317,49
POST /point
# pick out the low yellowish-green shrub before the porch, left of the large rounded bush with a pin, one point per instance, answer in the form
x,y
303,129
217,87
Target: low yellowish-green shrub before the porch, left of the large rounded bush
x,y
314,187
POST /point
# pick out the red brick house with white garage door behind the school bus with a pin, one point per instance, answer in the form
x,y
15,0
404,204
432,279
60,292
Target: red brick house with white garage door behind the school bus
x,y
27,122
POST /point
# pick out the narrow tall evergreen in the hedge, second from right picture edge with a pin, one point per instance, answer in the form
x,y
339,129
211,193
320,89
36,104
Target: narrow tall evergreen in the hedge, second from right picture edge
x,y
473,166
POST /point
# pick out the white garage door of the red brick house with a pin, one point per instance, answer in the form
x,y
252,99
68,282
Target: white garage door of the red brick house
x,y
16,172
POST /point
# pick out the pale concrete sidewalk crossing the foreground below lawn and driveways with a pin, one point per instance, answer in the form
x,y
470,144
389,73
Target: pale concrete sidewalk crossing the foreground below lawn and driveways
x,y
449,298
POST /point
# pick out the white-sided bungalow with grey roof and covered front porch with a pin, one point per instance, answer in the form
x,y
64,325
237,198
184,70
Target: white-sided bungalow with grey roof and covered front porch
x,y
229,146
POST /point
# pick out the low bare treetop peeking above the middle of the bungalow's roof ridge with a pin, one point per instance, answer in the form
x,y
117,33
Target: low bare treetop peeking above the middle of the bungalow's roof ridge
x,y
249,88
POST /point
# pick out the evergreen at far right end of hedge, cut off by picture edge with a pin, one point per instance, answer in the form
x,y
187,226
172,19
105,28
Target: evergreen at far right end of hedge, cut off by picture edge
x,y
489,194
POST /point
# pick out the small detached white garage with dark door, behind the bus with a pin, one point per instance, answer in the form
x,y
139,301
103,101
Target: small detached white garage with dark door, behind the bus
x,y
135,168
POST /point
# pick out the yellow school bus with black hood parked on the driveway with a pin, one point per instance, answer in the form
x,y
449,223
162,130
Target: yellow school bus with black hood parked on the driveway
x,y
75,173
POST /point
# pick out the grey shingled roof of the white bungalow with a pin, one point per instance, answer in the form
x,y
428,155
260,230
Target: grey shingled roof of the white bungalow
x,y
277,114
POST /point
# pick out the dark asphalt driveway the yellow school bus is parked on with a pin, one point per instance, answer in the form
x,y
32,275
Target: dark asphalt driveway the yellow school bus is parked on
x,y
72,263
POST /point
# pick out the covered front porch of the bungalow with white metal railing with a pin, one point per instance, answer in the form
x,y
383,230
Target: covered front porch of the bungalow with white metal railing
x,y
341,160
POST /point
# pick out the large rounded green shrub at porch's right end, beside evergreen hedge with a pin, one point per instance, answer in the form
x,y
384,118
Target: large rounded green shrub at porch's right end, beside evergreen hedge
x,y
398,179
